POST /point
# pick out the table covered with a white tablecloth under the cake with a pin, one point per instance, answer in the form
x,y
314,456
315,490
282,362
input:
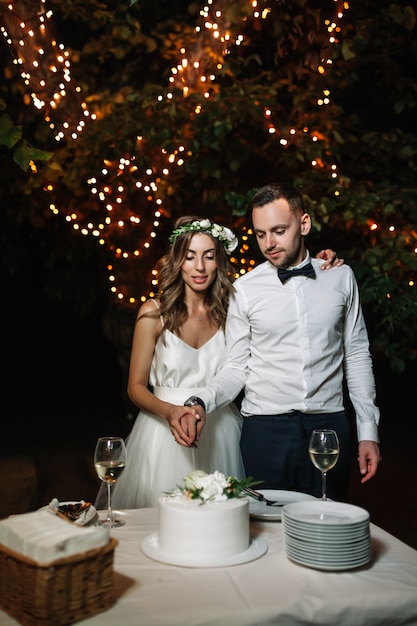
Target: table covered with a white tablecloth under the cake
x,y
268,591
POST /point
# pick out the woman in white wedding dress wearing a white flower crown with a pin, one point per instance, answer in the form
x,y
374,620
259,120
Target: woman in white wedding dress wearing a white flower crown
x,y
178,346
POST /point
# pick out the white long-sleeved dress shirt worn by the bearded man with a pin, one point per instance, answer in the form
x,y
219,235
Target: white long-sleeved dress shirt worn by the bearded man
x,y
290,345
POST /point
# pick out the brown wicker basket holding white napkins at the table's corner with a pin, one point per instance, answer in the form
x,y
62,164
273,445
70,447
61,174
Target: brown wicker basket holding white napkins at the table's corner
x,y
60,593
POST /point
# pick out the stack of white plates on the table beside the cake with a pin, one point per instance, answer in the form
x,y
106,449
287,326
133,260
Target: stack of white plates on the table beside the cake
x,y
326,535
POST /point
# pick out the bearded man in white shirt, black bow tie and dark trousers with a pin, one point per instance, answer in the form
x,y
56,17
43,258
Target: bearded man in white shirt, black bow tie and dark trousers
x,y
295,335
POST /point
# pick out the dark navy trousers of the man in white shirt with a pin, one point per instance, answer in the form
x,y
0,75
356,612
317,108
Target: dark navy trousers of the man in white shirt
x,y
275,452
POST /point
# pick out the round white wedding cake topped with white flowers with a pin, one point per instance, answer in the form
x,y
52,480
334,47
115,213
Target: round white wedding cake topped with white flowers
x,y
206,518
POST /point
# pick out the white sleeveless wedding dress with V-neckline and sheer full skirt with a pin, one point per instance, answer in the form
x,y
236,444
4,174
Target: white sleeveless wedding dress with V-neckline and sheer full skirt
x,y
155,461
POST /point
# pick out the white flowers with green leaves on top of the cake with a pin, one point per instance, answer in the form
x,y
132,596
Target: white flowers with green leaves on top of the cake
x,y
199,485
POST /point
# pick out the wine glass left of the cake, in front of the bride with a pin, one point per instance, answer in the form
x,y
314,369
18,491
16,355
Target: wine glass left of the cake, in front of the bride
x,y
109,463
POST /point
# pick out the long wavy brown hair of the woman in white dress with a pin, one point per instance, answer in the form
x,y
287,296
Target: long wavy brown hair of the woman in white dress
x,y
171,285
